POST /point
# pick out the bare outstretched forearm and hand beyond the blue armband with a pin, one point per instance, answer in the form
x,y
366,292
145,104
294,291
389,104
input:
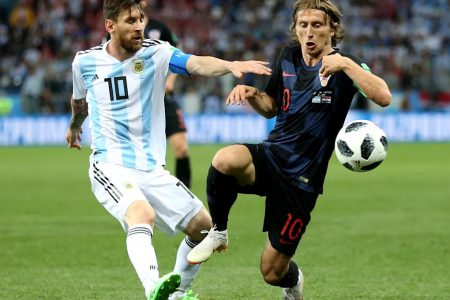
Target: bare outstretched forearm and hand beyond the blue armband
x,y
211,66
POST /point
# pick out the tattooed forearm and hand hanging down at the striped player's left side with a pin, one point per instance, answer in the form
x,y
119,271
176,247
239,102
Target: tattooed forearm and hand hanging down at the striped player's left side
x,y
79,114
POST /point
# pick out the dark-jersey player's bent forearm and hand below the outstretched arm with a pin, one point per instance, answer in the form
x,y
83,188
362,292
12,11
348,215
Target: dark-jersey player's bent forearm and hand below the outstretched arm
x,y
260,101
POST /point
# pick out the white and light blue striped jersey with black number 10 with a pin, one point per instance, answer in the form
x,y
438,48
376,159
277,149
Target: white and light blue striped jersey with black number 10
x,y
126,101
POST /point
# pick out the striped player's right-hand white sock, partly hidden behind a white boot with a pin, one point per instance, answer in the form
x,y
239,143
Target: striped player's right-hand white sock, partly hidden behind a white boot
x,y
183,267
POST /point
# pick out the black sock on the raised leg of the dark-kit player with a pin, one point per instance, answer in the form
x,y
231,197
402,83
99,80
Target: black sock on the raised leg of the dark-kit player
x,y
221,191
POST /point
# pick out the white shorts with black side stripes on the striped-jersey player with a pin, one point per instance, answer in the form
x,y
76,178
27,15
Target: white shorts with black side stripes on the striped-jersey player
x,y
117,187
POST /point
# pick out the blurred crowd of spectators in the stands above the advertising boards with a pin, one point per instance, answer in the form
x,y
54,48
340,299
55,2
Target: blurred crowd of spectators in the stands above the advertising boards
x,y
407,42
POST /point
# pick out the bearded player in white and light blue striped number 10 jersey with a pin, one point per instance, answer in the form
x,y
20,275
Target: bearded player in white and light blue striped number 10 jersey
x,y
120,85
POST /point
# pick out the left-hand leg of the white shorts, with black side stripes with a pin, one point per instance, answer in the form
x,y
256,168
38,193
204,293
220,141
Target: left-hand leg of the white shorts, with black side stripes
x,y
115,188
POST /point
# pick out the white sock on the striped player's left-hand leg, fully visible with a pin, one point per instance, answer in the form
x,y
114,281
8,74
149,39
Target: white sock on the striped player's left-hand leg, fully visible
x,y
142,255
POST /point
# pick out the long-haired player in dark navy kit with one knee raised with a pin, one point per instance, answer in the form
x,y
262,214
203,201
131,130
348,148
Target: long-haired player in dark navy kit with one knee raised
x,y
309,92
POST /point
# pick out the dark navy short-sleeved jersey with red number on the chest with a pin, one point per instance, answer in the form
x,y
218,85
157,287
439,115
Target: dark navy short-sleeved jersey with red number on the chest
x,y
308,119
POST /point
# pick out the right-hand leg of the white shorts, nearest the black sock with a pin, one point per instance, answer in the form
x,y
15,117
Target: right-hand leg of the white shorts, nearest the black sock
x,y
175,205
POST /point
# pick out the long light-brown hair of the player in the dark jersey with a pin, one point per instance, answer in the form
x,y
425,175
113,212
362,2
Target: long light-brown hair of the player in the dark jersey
x,y
329,8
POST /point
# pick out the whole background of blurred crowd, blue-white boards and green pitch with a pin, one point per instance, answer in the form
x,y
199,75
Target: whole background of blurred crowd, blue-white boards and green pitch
x,y
382,235
